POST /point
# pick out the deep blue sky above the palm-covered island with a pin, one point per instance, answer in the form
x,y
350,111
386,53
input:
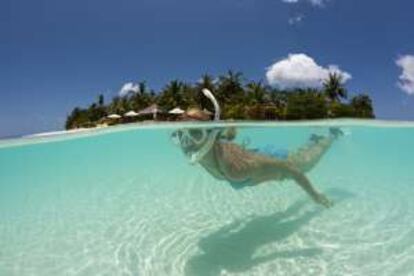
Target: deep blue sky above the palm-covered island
x,y
59,54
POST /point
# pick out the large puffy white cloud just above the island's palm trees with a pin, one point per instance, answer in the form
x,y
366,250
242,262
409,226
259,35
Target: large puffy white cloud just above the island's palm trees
x,y
301,71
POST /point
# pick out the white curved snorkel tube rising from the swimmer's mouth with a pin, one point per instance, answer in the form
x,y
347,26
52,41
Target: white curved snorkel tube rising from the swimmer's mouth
x,y
211,138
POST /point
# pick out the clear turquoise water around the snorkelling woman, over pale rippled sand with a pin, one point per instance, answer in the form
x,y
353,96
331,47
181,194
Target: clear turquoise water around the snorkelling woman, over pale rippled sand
x,y
126,201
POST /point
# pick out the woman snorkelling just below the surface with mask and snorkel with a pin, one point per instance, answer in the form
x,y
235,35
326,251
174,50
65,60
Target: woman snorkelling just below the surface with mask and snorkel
x,y
214,150
